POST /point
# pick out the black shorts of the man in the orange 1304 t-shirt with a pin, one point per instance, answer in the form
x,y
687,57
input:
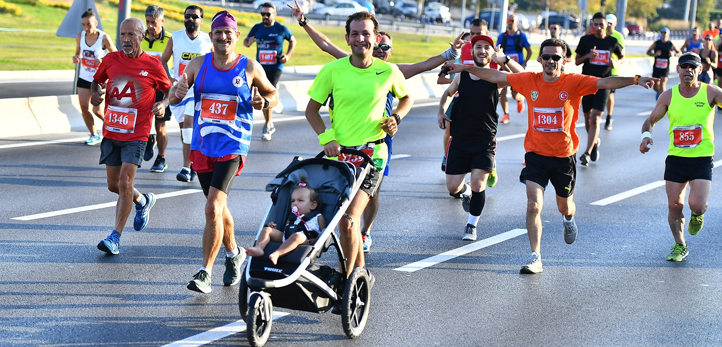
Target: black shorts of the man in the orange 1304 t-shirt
x,y
562,172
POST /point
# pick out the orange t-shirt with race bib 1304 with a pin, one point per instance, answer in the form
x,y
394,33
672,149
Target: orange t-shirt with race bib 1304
x,y
553,110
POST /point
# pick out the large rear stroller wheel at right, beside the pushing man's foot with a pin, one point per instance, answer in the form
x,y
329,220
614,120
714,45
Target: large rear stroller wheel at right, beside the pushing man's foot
x,y
356,303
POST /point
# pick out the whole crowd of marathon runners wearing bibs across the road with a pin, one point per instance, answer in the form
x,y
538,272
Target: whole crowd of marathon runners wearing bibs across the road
x,y
212,91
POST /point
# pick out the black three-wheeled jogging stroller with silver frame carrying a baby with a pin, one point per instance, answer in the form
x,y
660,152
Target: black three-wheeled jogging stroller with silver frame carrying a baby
x,y
297,282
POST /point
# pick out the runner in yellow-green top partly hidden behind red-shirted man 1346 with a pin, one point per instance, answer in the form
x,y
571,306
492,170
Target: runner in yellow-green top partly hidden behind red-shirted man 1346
x,y
155,41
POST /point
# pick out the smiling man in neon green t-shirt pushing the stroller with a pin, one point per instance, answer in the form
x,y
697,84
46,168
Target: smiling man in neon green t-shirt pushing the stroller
x,y
358,118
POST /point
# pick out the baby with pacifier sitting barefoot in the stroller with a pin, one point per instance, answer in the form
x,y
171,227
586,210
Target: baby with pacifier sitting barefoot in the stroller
x,y
303,227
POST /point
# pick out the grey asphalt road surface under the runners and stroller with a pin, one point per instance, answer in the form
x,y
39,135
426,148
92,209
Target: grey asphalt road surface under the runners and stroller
x,y
613,286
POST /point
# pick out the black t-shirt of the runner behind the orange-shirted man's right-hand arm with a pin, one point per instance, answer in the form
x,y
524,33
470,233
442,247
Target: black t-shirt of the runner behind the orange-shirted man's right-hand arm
x,y
599,66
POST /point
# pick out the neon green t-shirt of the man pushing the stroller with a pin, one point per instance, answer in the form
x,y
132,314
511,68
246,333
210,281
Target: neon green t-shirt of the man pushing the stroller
x,y
357,98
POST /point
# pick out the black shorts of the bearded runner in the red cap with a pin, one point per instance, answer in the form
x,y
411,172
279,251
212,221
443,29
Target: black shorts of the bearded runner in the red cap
x,y
462,157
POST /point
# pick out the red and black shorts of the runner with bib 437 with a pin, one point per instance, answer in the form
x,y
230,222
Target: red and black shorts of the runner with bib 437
x,y
216,172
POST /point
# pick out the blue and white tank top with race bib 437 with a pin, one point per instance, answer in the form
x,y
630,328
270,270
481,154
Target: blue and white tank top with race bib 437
x,y
223,117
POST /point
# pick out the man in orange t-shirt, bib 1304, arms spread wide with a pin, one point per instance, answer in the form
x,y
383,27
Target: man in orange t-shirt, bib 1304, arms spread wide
x,y
551,140
